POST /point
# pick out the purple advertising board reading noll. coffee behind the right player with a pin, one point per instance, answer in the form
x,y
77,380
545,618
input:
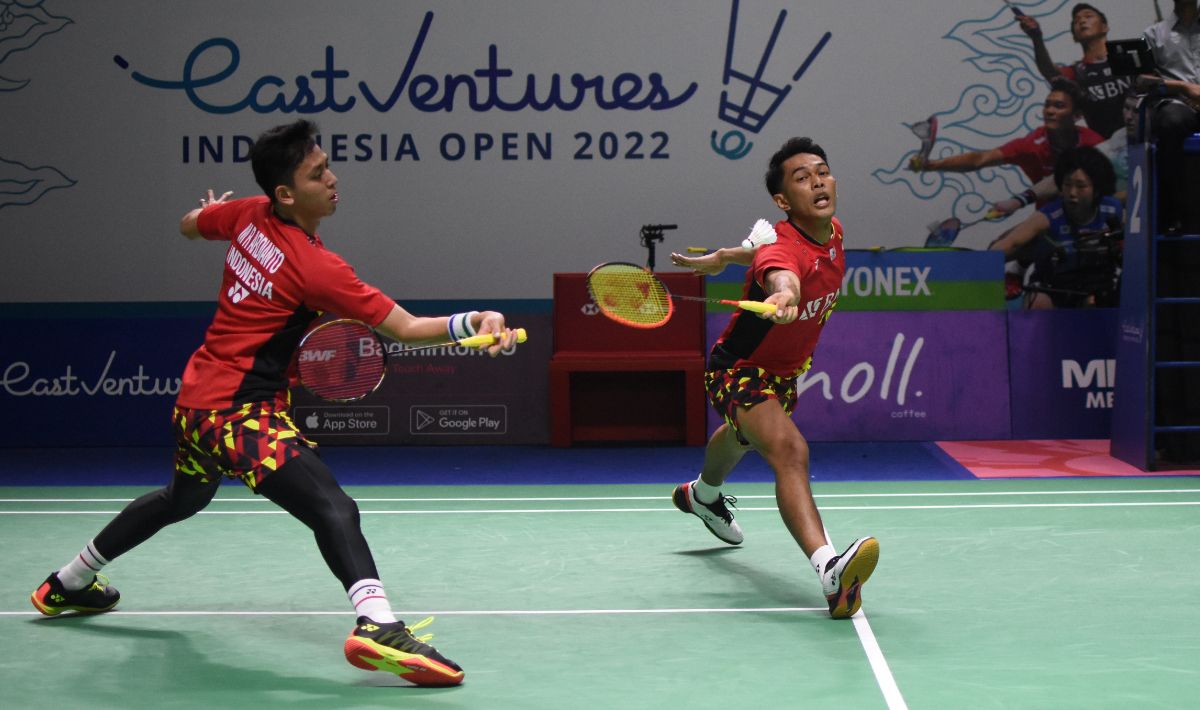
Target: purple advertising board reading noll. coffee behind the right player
x,y
896,377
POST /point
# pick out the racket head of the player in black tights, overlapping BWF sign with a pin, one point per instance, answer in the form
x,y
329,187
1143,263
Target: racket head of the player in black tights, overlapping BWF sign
x,y
341,360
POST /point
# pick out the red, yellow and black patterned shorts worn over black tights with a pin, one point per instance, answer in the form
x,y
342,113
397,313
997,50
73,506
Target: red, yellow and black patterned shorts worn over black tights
x,y
247,442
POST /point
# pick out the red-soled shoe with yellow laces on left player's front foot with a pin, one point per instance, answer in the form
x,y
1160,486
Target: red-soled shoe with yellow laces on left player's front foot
x,y
375,646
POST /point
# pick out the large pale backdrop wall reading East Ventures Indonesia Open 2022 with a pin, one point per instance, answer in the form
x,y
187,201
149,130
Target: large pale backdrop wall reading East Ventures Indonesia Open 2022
x,y
482,147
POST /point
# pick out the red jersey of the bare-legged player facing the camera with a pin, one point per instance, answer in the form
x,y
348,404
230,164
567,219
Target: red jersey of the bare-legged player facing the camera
x,y
787,350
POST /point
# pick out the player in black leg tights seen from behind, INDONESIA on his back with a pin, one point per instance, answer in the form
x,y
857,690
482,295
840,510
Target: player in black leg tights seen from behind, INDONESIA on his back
x,y
231,416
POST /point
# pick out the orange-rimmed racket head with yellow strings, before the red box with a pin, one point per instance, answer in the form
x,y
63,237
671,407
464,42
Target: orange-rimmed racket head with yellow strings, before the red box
x,y
631,294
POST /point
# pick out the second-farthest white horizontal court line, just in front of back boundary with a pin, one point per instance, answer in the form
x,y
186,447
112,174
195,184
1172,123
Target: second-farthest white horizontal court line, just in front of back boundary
x,y
644,510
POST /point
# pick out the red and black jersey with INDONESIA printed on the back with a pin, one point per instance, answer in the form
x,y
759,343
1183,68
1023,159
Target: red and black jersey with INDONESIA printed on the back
x,y
277,281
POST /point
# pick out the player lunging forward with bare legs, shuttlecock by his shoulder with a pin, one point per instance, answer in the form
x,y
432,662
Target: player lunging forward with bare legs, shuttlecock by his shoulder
x,y
753,369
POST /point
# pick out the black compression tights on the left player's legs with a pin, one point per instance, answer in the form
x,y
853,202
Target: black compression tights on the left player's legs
x,y
304,488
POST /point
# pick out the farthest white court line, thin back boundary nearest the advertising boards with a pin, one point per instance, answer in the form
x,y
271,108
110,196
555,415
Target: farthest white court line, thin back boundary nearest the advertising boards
x,y
605,498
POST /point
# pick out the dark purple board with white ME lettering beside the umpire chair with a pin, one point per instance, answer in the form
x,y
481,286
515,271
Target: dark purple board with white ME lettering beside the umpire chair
x,y
1064,374
